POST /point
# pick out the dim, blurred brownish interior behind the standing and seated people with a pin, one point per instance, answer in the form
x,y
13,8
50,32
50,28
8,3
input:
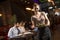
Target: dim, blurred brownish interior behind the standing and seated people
x,y
17,10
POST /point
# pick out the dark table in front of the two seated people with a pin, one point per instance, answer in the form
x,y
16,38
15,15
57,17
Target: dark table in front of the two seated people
x,y
25,36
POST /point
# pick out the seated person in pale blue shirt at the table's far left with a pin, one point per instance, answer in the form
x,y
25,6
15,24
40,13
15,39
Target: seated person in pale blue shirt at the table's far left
x,y
13,31
